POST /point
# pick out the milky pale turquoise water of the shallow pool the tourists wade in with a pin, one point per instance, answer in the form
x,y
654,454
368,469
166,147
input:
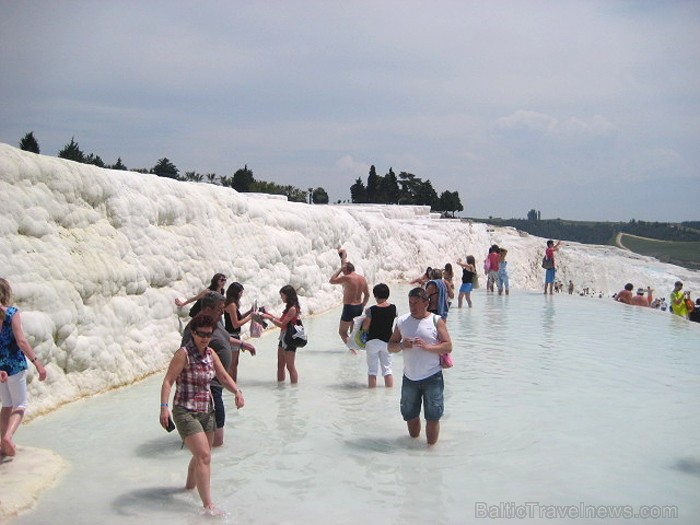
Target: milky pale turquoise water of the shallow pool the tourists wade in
x,y
559,401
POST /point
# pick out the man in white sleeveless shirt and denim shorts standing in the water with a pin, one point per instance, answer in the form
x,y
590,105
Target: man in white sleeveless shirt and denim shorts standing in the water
x,y
422,337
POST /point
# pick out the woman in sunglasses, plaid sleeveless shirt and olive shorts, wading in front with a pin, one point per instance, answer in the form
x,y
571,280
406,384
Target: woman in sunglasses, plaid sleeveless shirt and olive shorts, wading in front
x,y
192,368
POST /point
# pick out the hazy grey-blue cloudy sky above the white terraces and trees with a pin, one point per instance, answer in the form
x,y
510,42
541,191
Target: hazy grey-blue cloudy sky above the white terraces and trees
x,y
586,110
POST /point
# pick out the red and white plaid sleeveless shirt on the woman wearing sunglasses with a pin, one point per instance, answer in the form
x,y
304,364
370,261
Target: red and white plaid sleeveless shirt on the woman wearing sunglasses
x,y
192,385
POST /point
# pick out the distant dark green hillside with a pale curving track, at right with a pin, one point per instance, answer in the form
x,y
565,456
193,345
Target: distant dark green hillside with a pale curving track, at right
x,y
675,243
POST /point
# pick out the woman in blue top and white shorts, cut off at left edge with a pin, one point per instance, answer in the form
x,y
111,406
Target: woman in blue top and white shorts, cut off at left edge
x,y
14,352
